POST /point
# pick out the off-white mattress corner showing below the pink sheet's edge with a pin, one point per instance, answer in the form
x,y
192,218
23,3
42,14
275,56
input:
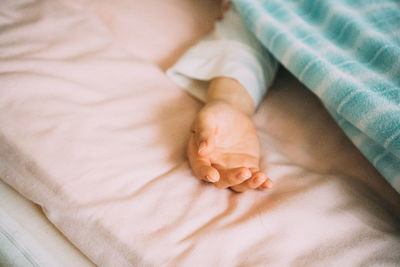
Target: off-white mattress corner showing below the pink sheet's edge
x,y
27,238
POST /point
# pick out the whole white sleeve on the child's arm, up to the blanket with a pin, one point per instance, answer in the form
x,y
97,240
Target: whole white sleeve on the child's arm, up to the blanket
x,y
230,50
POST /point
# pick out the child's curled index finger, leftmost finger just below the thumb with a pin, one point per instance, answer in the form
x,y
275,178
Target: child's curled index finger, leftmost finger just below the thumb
x,y
201,166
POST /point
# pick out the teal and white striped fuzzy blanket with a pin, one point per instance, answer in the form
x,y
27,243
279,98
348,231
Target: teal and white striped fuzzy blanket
x,y
348,53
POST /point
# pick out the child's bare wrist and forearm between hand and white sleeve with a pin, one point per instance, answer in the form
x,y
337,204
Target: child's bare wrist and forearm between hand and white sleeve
x,y
230,91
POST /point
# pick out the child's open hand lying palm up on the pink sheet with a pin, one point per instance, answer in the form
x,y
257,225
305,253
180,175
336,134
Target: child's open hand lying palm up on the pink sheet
x,y
224,149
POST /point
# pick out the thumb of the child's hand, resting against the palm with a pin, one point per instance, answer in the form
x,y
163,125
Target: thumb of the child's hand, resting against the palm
x,y
204,133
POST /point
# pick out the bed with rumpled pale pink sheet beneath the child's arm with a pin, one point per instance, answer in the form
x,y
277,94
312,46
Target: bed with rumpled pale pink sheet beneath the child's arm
x,y
93,136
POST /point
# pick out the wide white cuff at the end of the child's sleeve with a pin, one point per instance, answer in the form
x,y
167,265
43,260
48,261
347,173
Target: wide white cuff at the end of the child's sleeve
x,y
229,58
